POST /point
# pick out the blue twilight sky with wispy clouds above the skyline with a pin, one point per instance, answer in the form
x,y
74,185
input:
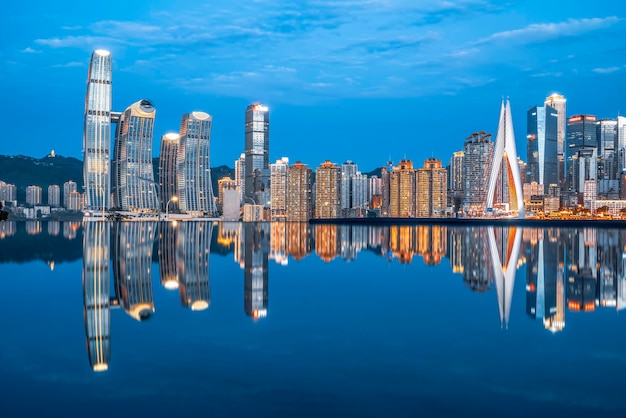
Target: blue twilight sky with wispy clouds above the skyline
x,y
358,79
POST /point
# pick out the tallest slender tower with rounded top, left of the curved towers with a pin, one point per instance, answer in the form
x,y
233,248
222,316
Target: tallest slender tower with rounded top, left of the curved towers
x,y
97,132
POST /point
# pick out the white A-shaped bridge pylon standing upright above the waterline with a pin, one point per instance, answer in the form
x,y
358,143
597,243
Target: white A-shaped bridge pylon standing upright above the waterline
x,y
505,155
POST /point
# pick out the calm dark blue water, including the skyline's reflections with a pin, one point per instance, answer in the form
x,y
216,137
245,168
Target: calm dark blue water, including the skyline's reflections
x,y
260,320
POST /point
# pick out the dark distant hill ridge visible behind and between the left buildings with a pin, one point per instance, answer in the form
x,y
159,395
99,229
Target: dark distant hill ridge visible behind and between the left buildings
x,y
24,171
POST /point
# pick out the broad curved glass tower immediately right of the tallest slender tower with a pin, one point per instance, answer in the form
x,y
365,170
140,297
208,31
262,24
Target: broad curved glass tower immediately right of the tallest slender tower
x,y
134,189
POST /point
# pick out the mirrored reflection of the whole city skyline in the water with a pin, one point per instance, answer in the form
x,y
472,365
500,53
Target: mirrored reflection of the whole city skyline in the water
x,y
566,270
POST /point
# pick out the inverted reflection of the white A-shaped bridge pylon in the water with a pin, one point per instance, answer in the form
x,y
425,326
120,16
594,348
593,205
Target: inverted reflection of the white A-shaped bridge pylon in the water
x,y
504,270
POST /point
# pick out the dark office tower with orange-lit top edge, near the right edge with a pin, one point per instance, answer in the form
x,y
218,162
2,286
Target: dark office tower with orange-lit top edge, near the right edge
x,y
581,151
